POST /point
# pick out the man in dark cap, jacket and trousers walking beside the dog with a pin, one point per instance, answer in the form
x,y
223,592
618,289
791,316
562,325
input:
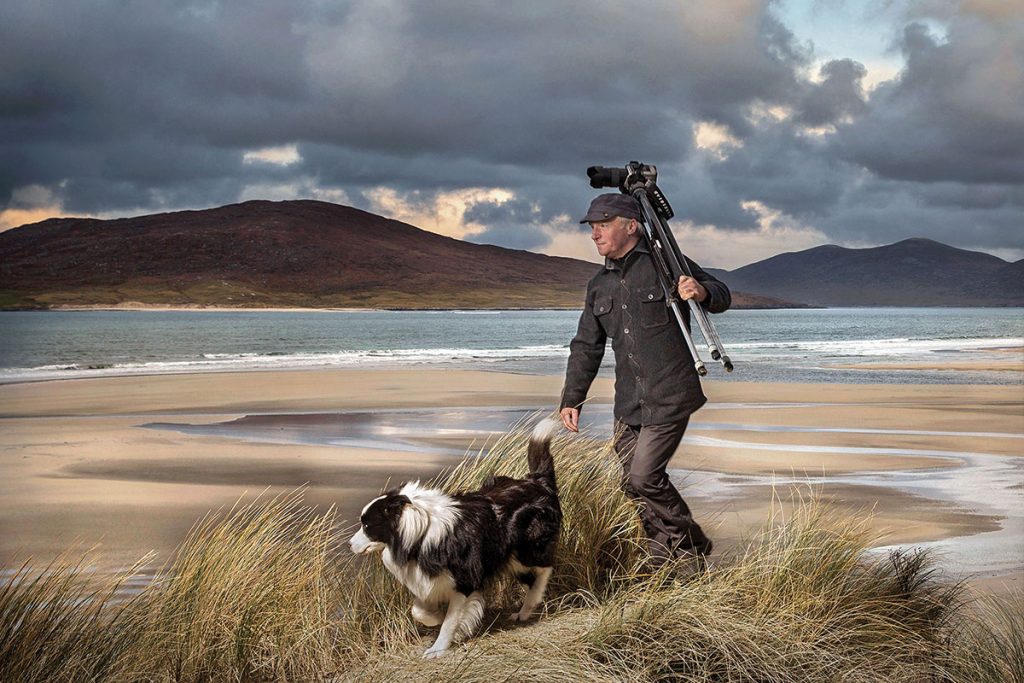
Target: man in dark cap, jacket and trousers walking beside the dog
x,y
657,386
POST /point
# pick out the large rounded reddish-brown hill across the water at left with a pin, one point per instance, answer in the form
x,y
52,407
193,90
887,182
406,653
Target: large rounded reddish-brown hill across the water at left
x,y
300,253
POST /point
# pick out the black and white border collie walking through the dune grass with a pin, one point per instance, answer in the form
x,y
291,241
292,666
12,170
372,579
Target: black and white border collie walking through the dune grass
x,y
446,547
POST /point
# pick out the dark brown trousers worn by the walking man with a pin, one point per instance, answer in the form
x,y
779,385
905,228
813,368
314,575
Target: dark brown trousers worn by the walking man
x,y
646,453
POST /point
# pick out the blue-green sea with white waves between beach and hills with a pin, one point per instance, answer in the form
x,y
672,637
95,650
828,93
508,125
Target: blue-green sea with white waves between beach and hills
x,y
790,346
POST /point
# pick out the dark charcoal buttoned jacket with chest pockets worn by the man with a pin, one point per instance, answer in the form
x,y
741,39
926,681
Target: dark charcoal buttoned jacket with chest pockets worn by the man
x,y
656,381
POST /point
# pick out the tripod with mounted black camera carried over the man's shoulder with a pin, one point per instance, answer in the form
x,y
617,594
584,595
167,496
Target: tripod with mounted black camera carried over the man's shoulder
x,y
639,181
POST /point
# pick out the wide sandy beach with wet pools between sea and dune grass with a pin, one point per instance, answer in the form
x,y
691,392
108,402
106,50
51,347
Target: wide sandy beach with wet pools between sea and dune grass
x,y
78,467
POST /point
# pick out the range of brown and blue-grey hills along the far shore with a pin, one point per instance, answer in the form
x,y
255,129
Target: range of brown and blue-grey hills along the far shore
x,y
306,253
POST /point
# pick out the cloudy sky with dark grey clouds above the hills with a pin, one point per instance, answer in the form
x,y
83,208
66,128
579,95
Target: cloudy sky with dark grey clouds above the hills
x,y
776,126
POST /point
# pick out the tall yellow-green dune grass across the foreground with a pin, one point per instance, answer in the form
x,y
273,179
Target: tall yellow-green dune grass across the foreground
x,y
268,592
